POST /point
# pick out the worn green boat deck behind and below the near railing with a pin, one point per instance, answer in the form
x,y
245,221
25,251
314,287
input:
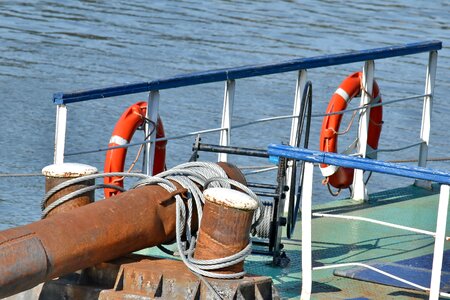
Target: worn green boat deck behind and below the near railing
x,y
342,241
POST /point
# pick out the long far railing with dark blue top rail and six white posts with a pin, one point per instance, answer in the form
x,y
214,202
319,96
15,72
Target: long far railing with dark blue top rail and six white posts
x,y
230,75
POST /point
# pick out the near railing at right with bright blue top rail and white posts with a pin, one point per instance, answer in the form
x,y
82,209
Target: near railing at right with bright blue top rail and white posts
x,y
312,157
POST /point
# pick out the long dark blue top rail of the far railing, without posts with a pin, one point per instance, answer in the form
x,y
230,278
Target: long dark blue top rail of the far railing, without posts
x,y
247,71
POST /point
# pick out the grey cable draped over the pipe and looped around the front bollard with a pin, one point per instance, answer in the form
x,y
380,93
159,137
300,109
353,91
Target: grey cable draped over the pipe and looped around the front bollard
x,y
190,176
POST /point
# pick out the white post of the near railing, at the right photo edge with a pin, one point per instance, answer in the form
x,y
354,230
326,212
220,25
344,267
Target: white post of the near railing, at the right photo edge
x,y
441,225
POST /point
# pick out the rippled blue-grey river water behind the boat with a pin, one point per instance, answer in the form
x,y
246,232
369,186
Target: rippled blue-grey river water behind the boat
x,y
52,46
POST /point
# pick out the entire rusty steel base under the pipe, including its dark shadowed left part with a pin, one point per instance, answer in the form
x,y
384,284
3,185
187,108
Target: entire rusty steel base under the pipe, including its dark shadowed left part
x,y
143,278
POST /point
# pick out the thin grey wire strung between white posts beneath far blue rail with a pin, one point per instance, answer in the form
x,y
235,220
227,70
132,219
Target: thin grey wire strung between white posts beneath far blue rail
x,y
262,120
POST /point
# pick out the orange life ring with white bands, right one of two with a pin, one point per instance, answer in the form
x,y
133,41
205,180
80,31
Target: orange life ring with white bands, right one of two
x,y
341,177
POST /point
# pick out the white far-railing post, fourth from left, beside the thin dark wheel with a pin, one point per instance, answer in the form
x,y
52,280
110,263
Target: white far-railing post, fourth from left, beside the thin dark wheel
x,y
300,86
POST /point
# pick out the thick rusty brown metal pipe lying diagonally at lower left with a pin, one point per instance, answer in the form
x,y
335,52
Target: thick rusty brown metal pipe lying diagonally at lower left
x,y
88,235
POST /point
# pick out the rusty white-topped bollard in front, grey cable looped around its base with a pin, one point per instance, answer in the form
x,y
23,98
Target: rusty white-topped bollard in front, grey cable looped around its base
x,y
225,226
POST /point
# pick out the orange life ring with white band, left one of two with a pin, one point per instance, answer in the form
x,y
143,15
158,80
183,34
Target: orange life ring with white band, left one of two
x,y
131,119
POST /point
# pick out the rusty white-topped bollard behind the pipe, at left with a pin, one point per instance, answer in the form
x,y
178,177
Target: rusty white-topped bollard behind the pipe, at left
x,y
58,173
